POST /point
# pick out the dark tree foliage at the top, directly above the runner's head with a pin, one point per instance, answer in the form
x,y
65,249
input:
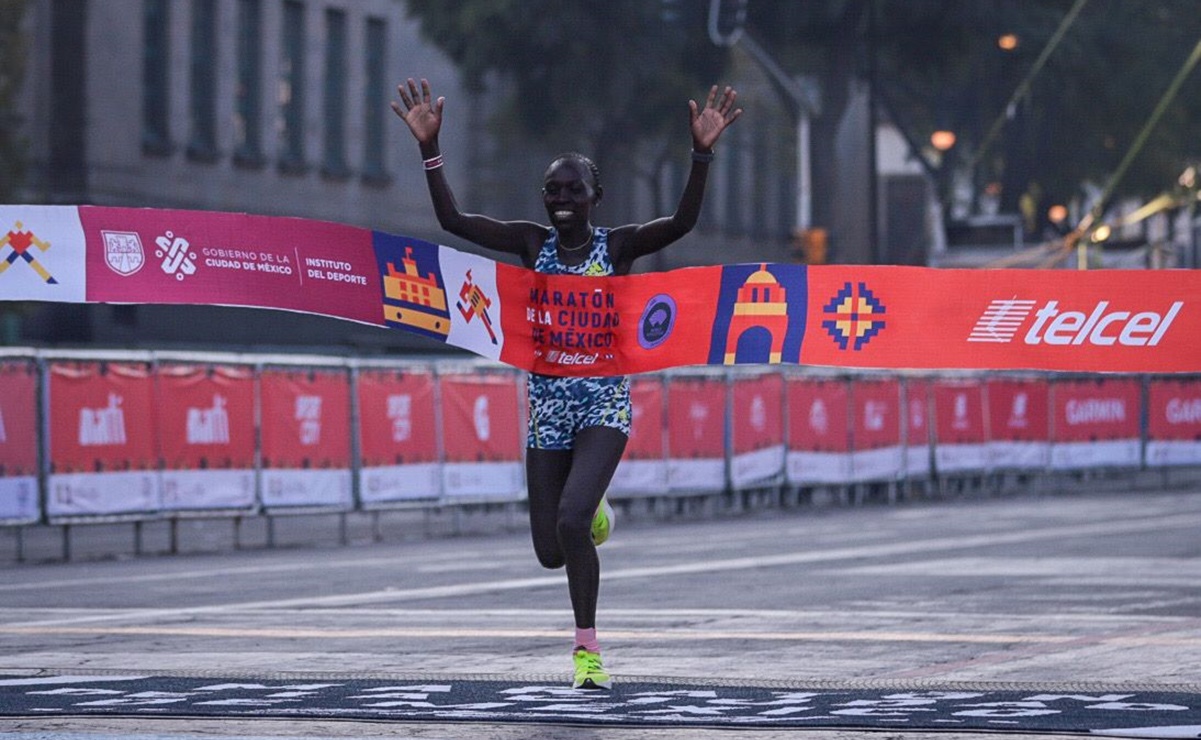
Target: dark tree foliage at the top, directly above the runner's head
x,y
597,75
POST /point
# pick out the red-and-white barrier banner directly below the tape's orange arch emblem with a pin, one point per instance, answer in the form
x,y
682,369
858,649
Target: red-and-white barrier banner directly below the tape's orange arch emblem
x,y
757,427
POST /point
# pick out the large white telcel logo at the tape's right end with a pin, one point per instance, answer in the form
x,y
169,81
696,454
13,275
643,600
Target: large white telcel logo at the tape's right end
x,y
1101,327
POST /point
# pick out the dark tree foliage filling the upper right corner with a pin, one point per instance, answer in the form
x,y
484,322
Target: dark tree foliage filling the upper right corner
x,y
940,65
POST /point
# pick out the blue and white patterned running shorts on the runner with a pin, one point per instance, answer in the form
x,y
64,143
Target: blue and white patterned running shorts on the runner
x,y
563,407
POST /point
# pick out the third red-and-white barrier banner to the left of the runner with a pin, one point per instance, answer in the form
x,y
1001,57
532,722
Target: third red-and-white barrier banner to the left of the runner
x,y
306,437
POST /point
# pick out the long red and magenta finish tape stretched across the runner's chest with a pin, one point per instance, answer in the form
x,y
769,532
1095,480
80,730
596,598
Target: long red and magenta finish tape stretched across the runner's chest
x,y
844,317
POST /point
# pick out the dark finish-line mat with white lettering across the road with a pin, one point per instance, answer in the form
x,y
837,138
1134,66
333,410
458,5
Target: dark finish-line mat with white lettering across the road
x,y
634,702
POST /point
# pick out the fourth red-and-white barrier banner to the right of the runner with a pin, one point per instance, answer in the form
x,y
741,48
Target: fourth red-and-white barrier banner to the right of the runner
x,y
818,431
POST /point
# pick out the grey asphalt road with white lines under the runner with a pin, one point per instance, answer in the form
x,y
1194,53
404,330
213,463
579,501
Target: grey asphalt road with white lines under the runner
x,y
1057,592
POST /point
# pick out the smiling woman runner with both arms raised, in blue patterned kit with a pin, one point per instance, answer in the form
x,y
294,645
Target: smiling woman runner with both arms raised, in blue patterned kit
x,y
578,426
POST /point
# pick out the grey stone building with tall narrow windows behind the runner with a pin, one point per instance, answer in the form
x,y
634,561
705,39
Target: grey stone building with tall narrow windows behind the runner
x,y
280,108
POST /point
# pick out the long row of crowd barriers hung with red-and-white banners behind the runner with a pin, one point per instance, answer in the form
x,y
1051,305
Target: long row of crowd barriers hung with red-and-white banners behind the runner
x,y
92,437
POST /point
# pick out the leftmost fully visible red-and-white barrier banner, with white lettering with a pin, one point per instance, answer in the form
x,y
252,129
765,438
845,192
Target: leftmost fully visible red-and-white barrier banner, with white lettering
x,y
103,432
